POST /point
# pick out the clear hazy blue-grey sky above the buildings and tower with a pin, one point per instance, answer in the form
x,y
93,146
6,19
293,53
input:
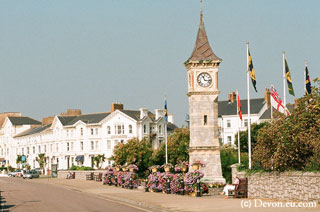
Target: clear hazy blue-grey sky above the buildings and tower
x,y
82,54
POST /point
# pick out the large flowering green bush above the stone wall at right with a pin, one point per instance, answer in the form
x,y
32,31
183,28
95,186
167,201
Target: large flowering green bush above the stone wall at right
x,y
292,142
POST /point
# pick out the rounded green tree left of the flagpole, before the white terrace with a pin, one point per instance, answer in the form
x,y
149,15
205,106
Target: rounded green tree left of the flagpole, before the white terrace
x,y
134,152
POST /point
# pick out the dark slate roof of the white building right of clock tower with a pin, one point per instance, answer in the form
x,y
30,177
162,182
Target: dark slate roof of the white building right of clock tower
x,y
227,108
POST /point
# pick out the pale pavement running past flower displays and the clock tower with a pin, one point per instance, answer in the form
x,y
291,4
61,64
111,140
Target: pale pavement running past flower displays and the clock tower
x,y
171,202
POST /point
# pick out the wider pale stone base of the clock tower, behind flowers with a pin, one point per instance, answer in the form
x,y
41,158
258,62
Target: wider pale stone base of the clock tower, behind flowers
x,y
210,156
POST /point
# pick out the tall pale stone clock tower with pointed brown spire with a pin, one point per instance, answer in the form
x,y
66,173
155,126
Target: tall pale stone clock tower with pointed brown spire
x,y
202,70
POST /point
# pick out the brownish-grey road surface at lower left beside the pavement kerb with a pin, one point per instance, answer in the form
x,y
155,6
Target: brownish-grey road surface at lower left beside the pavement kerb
x,y
25,195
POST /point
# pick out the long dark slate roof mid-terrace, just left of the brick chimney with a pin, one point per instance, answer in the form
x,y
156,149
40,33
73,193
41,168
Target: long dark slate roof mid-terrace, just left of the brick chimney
x,y
87,118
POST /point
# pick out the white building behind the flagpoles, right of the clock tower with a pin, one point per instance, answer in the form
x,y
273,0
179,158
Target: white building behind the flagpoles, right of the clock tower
x,y
229,121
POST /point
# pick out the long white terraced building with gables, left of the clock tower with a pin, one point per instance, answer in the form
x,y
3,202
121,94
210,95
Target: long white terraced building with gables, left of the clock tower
x,y
75,139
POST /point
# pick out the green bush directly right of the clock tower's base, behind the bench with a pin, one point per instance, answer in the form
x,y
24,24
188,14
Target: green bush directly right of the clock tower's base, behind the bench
x,y
229,156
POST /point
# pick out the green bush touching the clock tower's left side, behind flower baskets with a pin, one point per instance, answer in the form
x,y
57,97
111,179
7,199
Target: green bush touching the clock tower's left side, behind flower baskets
x,y
178,144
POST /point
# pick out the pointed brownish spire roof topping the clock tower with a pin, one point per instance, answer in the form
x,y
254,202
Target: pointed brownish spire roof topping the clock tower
x,y
202,50
